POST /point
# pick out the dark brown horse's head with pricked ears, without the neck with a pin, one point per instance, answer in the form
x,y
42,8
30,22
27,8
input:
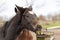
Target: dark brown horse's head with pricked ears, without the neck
x,y
28,20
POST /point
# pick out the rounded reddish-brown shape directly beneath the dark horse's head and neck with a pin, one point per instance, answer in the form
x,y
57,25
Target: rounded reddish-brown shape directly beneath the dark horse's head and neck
x,y
26,35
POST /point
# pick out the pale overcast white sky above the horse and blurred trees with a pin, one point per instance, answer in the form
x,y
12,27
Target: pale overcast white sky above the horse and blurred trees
x,y
43,7
